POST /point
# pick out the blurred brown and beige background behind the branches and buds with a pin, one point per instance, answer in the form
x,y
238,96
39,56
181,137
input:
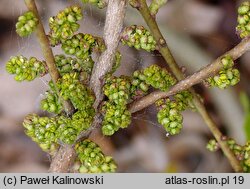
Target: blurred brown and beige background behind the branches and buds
x,y
197,32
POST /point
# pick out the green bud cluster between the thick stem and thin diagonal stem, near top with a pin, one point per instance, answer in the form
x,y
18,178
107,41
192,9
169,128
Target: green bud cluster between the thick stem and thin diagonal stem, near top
x,y
138,37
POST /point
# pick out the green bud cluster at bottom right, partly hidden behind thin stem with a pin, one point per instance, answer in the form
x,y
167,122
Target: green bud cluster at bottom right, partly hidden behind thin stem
x,y
242,153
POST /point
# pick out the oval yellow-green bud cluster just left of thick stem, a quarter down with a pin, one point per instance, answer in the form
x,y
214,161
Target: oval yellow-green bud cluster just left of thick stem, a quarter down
x,y
80,45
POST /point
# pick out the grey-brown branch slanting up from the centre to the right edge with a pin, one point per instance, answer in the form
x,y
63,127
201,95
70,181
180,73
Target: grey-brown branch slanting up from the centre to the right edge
x,y
197,77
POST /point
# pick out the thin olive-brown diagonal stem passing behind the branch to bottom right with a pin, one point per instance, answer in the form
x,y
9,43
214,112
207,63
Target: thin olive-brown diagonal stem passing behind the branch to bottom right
x,y
167,55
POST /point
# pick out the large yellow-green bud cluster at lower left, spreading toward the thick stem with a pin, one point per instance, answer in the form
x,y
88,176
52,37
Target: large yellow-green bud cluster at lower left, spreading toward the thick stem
x,y
50,132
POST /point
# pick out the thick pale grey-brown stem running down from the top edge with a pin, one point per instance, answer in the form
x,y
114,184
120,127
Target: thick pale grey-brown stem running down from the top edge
x,y
112,29
